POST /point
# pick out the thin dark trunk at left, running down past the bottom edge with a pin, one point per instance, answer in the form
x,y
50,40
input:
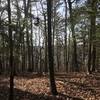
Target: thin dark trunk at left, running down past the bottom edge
x,y
11,93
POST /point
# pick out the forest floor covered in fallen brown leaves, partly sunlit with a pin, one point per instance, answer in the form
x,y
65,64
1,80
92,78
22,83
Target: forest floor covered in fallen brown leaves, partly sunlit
x,y
71,86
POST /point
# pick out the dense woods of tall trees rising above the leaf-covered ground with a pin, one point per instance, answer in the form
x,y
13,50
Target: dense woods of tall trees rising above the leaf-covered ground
x,y
47,37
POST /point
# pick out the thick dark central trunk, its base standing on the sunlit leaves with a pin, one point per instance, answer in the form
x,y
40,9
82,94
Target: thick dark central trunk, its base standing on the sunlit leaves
x,y
50,53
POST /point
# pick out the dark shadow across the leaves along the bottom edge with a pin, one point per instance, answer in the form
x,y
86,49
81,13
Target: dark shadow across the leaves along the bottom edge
x,y
23,95
